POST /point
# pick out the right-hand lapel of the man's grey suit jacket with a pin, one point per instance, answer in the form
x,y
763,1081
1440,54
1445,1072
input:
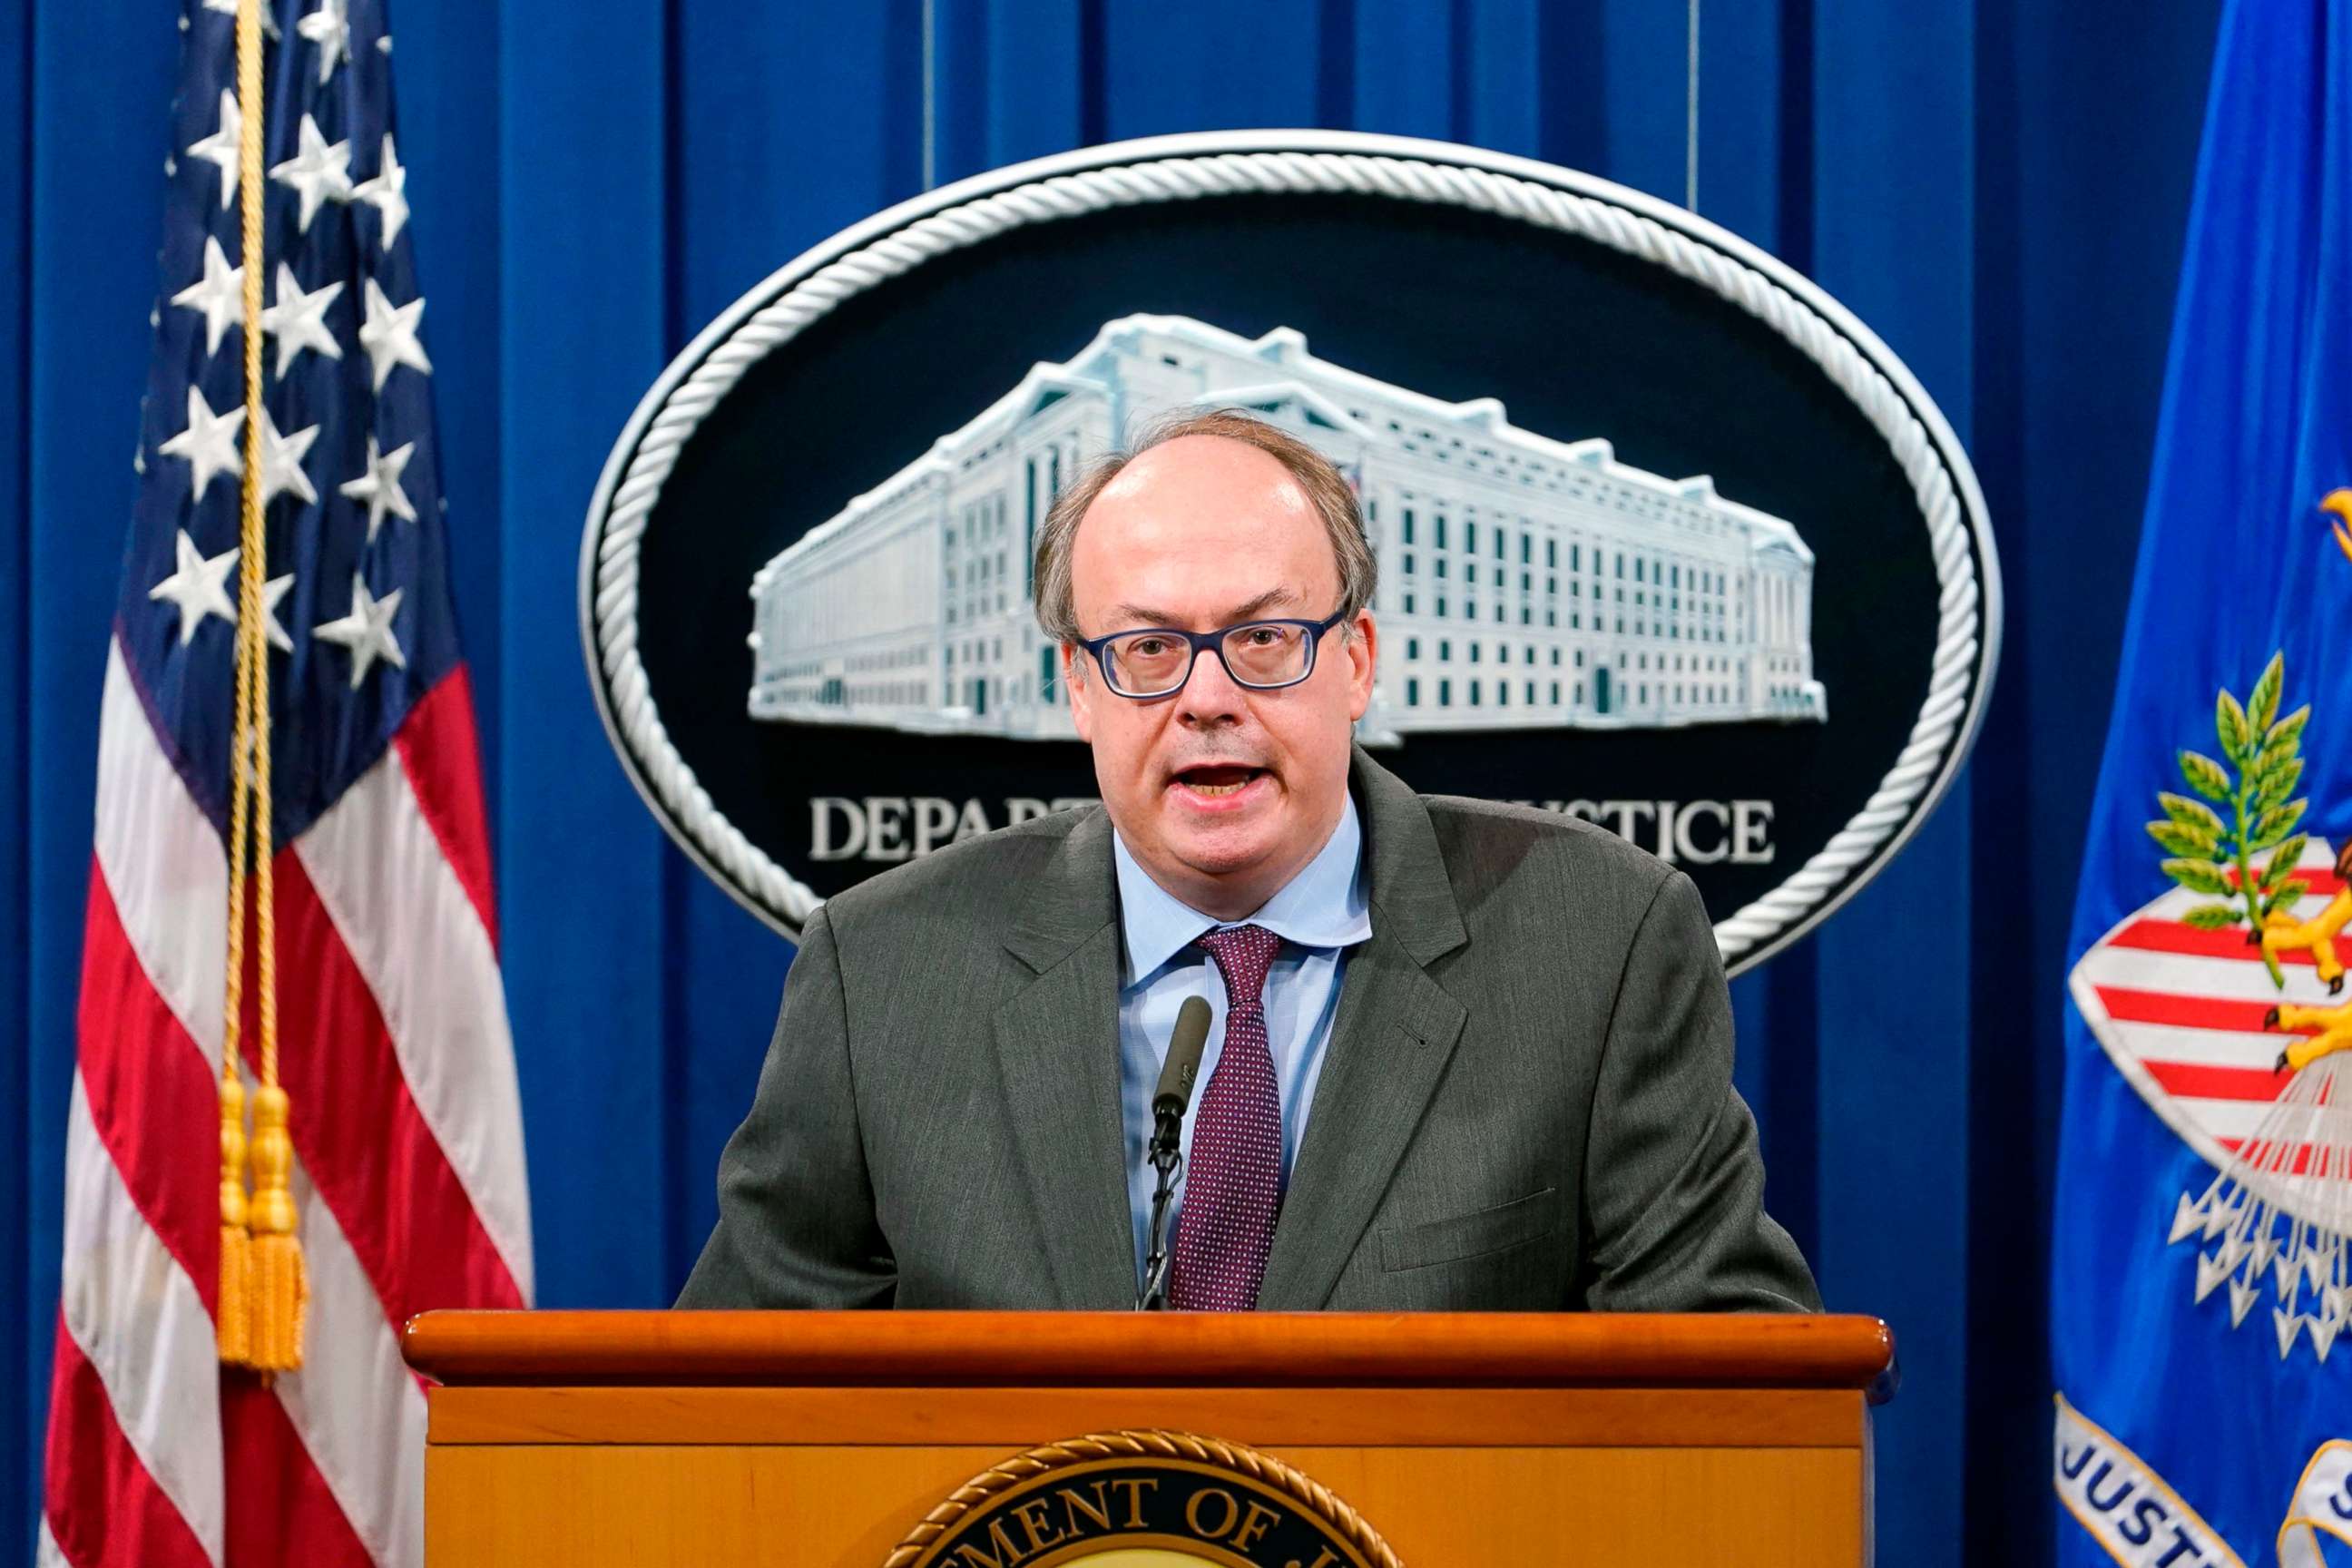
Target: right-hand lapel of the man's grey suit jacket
x,y
1389,1050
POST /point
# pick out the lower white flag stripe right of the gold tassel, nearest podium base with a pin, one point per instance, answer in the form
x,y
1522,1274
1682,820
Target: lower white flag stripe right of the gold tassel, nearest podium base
x,y
354,1402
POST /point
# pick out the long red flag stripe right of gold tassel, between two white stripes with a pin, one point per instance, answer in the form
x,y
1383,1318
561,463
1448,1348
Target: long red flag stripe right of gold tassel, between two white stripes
x,y
359,1132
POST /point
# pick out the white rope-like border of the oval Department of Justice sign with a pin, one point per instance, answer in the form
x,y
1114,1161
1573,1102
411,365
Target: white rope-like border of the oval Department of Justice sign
x,y
613,589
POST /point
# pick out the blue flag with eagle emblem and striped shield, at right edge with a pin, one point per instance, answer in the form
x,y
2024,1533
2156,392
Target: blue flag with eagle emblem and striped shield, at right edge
x,y
2203,1287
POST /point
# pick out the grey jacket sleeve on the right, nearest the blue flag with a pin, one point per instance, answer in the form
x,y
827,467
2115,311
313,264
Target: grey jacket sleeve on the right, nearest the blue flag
x,y
1673,1177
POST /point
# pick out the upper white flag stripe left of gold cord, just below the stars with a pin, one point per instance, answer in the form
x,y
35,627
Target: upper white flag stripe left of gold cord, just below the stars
x,y
163,864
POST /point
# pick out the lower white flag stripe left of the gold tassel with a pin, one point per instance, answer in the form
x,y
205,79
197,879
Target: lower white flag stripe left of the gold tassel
x,y
142,1327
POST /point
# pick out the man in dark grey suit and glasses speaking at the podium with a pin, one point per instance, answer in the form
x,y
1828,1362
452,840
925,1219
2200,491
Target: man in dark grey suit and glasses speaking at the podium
x,y
1462,1057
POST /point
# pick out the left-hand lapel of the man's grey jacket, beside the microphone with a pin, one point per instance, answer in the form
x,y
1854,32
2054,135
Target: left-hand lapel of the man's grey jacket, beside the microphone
x,y
1060,1059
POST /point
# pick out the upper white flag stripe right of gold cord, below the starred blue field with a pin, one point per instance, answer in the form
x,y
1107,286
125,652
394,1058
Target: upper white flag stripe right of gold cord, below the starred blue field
x,y
427,960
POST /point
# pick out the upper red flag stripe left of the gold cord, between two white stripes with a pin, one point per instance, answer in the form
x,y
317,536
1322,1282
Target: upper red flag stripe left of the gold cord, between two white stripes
x,y
152,1097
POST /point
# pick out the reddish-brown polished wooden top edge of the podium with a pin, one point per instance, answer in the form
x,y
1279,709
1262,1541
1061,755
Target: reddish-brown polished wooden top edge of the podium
x,y
1151,1351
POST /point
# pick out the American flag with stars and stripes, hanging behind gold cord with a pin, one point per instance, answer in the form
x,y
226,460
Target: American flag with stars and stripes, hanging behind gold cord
x,y
394,1038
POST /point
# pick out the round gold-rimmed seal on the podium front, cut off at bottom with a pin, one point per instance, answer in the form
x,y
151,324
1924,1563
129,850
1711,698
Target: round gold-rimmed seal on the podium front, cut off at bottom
x,y
1142,1501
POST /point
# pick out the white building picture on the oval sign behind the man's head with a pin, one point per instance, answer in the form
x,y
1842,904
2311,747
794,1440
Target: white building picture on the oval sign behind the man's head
x,y
1525,582
